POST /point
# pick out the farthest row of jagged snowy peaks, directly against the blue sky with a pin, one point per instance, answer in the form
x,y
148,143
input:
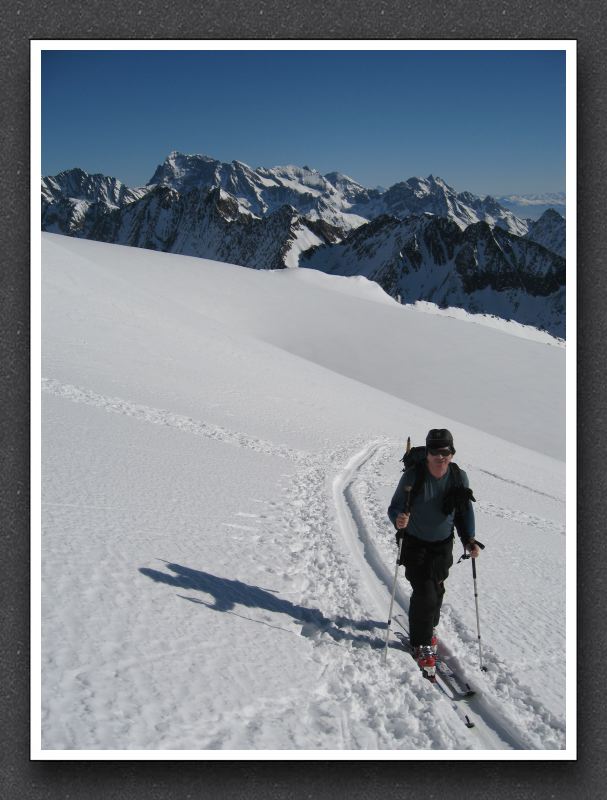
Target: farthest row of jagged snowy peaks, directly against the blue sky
x,y
335,199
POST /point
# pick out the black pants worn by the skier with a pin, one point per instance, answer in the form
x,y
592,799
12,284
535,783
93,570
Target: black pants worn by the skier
x,y
427,566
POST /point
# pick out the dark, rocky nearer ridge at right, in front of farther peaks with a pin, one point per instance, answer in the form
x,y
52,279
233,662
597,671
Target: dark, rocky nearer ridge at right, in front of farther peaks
x,y
480,269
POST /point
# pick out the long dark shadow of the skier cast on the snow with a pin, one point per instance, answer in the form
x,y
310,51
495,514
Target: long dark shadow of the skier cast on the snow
x,y
228,593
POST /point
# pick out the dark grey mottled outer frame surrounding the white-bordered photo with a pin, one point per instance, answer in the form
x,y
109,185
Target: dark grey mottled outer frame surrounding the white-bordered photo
x,y
583,20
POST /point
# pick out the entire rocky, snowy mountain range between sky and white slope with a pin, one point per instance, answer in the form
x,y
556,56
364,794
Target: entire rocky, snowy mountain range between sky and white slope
x,y
419,239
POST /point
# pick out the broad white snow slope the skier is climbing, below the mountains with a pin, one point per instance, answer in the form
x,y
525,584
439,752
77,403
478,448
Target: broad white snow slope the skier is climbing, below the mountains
x,y
220,446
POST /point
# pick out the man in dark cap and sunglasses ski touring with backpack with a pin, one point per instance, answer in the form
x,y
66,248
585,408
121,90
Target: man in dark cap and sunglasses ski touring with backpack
x,y
440,500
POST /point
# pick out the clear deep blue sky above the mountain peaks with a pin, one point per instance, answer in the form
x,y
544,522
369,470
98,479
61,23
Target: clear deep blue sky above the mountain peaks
x,y
490,122
